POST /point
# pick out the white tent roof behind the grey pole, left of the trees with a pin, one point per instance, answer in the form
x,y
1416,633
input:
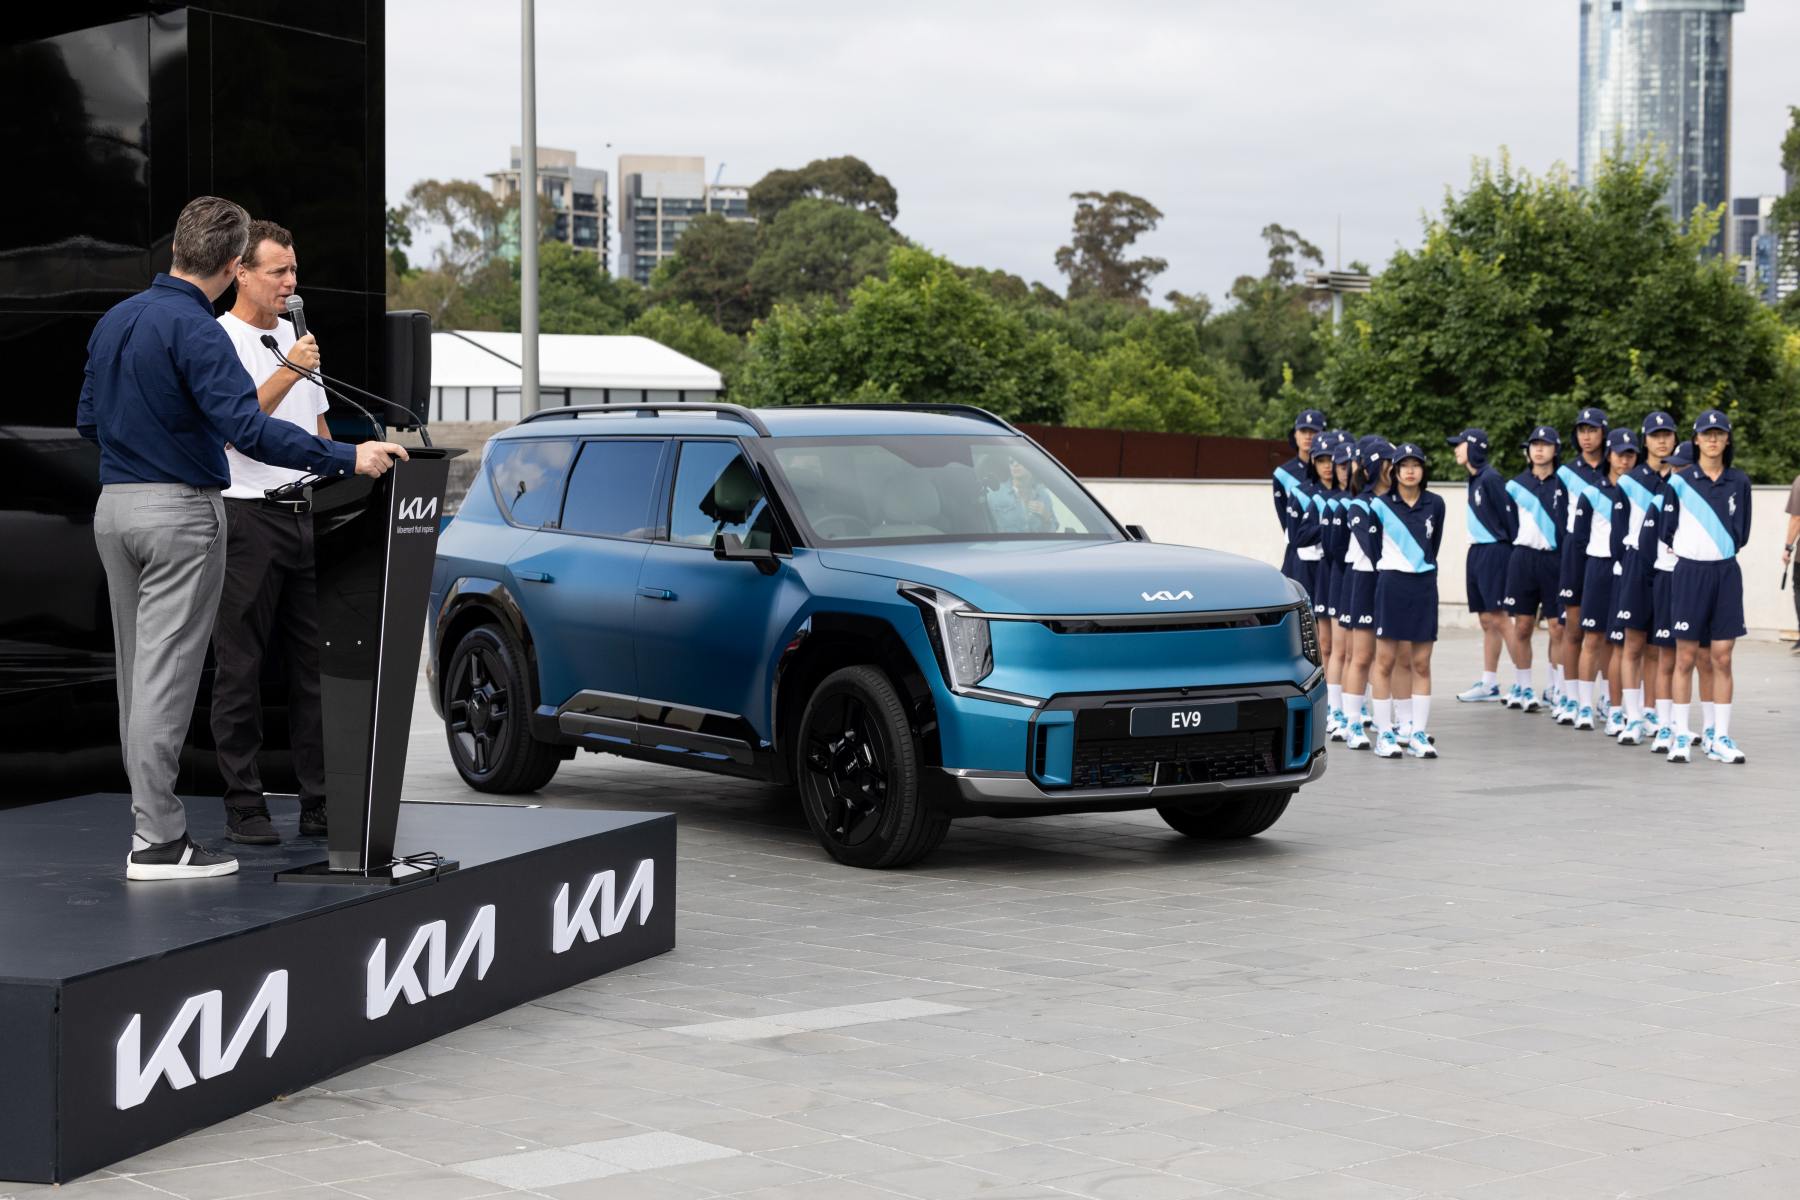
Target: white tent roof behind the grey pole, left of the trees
x,y
568,361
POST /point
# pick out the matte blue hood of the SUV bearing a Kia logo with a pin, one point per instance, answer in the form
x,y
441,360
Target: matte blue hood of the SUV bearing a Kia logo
x,y
1047,578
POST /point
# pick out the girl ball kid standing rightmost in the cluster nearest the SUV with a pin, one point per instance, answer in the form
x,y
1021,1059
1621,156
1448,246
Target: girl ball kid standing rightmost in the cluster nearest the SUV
x,y
1407,596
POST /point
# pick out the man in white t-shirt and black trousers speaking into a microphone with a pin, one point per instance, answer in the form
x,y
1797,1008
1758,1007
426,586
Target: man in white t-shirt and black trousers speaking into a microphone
x,y
269,598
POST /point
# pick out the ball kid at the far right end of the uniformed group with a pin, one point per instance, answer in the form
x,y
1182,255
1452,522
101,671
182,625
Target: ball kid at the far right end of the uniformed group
x,y
1707,596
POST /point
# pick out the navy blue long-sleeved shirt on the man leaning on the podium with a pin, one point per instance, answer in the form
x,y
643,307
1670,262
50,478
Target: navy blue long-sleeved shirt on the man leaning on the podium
x,y
165,391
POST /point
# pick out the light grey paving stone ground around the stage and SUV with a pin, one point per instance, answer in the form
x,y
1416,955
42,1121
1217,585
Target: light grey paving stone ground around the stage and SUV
x,y
1540,967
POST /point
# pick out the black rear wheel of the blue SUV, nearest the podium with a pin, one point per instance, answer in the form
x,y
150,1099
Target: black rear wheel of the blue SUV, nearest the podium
x,y
487,715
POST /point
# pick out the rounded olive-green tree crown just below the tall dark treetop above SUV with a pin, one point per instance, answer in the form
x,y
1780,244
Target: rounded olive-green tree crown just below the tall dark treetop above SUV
x,y
818,247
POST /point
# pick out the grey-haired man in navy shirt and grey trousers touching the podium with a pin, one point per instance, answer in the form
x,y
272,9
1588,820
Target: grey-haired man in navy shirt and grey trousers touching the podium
x,y
165,395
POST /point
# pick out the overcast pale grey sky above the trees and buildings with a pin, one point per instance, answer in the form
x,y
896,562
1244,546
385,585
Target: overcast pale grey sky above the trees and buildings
x,y
987,114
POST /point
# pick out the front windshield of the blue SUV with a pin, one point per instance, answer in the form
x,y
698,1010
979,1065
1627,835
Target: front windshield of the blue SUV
x,y
935,488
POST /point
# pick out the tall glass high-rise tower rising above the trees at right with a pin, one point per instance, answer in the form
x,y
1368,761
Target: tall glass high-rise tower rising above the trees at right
x,y
1659,73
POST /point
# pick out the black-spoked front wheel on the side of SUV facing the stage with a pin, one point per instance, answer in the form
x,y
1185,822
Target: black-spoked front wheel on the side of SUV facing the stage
x,y
858,767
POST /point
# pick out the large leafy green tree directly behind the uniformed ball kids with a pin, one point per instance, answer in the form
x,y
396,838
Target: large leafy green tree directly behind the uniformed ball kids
x,y
1531,298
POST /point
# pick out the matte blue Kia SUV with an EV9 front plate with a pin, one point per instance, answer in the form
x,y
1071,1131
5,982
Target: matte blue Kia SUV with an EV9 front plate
x,y
906,613
